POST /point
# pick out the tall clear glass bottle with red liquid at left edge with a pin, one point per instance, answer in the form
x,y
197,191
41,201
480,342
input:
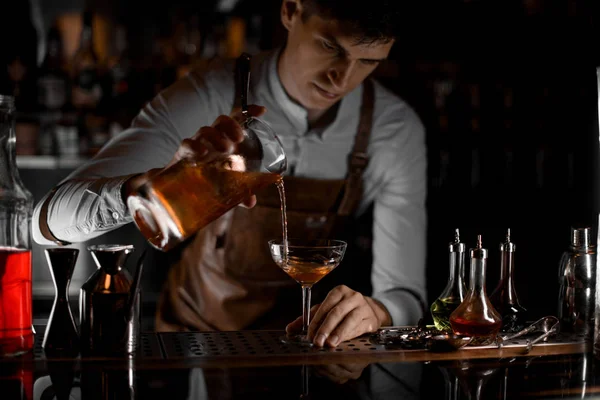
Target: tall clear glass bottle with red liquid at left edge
x,y
16,207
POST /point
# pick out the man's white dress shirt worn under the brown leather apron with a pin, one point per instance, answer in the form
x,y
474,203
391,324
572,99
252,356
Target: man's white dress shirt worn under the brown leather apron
x,y
395,178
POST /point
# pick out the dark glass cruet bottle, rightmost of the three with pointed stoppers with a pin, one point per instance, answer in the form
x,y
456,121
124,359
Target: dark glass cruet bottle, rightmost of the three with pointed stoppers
x,y
504,297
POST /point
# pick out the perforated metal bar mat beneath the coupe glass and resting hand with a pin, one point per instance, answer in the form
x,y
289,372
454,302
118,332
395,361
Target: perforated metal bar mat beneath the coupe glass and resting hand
x,y
248,343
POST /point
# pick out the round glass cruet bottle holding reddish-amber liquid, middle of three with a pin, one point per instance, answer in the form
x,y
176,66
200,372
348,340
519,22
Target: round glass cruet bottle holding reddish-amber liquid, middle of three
x,y
475,316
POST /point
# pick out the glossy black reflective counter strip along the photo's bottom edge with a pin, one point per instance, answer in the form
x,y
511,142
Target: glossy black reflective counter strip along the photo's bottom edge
x,y
550,377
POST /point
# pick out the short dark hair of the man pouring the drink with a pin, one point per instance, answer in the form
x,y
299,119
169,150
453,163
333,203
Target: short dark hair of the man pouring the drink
x,y
369,21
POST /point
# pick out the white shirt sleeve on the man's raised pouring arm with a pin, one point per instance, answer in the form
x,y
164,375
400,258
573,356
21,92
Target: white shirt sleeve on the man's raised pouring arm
x,y
88,202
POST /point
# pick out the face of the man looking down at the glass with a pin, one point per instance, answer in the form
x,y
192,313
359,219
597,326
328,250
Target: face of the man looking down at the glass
x,y
321,62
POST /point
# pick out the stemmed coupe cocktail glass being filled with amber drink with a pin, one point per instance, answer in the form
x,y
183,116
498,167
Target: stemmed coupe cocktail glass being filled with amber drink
x,y
307,262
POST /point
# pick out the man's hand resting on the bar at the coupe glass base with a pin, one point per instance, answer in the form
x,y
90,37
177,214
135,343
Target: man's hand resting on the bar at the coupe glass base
x,y
344,315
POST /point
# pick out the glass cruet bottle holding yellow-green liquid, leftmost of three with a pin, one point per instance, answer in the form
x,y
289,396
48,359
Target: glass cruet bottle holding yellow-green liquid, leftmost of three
x,y
454,292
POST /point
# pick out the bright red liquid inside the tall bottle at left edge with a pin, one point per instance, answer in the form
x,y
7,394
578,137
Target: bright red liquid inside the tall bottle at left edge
x,y
16,334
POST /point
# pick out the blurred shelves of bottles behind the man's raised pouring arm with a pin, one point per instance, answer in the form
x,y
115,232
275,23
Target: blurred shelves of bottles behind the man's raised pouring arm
x,y
91,81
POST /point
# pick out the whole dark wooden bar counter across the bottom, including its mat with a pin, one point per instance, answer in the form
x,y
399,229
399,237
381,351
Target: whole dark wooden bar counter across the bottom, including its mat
x,y
257,365
